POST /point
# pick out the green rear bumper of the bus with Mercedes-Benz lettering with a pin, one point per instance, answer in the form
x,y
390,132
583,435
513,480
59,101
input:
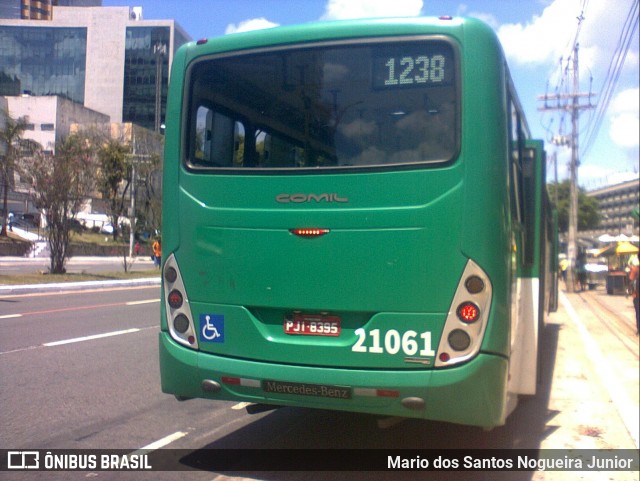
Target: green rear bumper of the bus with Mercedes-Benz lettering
x,y
472,394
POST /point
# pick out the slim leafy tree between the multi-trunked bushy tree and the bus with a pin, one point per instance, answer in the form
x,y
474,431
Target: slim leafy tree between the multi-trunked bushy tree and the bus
x,y
115,170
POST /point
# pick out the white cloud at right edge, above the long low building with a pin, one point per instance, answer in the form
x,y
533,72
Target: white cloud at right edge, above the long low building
x,y
625,123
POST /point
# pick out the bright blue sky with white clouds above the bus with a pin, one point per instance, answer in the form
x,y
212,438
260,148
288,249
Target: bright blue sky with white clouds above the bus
x,y
537,37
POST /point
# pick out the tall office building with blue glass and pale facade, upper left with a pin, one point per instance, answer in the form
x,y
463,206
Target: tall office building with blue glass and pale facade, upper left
x,y
105,58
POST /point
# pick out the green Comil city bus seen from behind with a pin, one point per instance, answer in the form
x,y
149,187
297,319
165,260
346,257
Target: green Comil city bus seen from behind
x,y
355,218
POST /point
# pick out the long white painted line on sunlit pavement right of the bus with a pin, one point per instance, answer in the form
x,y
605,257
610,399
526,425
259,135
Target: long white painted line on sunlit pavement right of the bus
x,y
626,410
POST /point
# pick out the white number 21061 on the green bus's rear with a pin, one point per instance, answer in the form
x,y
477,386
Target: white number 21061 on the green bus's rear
x,y
409,342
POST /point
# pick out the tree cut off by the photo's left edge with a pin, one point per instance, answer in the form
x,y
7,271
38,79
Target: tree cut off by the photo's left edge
x,y
11,137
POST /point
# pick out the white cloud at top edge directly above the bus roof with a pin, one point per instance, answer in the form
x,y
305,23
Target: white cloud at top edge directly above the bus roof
x,y
347,9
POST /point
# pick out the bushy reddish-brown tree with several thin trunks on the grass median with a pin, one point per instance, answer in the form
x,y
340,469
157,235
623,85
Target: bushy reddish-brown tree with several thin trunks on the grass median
x,y
59,185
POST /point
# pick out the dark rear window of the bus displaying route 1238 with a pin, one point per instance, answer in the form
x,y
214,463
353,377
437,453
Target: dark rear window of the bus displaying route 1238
x,y
345,106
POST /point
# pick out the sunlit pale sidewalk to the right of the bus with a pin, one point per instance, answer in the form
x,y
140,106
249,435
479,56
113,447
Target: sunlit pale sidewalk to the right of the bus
x,y
595,389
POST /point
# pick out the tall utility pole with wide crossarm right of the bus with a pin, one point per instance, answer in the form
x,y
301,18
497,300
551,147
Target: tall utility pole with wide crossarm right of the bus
x,y
571,103
